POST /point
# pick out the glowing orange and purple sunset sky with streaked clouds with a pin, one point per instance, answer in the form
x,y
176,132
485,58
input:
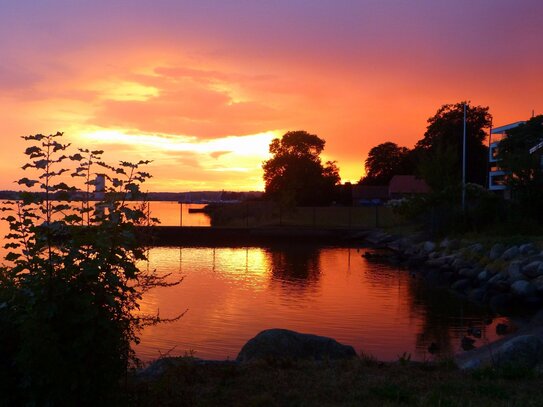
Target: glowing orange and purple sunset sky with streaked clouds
x,y
201,87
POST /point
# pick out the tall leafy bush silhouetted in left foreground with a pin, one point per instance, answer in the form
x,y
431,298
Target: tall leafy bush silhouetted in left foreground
x,y
70,284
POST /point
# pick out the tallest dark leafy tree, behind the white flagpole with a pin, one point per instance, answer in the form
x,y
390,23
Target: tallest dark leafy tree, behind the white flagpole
x,y
440,150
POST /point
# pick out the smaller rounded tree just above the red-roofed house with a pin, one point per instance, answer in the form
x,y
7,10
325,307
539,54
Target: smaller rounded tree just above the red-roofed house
x,y
384,161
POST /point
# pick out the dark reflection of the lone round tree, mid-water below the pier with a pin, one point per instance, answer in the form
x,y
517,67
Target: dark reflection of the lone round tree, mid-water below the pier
x,y
294,268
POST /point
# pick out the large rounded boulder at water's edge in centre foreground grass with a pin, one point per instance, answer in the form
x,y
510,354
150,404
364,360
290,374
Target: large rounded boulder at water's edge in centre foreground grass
x,y
282,343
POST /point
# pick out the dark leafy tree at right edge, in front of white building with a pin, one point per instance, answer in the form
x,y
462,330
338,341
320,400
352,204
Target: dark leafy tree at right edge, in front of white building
x,y
525,173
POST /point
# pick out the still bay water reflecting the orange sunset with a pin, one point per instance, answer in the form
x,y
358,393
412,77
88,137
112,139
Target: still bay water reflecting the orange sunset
x,y
232,293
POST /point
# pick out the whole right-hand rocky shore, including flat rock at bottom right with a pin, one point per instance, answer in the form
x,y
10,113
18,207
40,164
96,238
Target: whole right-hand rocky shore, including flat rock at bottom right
x,y
508,278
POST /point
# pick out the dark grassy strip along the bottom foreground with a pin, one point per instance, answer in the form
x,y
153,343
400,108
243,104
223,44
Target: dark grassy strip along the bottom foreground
x,y
346,383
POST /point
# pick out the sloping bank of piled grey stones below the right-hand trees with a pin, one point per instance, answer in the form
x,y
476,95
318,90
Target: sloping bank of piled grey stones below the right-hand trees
x,y
507,277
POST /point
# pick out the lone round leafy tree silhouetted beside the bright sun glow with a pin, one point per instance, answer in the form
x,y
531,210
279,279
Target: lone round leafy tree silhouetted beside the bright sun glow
x,y
295,174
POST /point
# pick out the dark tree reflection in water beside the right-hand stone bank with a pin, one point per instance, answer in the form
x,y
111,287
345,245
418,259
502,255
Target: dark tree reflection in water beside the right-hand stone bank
x,y
442,314
